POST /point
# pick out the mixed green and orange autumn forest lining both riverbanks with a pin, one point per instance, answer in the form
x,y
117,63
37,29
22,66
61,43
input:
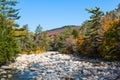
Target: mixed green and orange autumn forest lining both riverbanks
x,y
98,37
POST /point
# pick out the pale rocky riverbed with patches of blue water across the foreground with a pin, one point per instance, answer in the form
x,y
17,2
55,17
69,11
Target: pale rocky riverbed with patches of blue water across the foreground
x,y
56,66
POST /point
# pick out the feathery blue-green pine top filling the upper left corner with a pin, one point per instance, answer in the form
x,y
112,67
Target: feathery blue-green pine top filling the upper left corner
x,y
6,9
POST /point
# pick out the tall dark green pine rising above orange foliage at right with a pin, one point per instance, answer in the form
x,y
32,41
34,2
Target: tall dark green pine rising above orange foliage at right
x,y
93,34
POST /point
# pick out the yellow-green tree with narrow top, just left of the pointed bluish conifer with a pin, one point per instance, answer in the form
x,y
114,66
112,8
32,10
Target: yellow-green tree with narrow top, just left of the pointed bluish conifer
x,y
28,41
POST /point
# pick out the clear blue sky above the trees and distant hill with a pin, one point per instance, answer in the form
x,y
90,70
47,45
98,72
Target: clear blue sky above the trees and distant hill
x,y
56,13
